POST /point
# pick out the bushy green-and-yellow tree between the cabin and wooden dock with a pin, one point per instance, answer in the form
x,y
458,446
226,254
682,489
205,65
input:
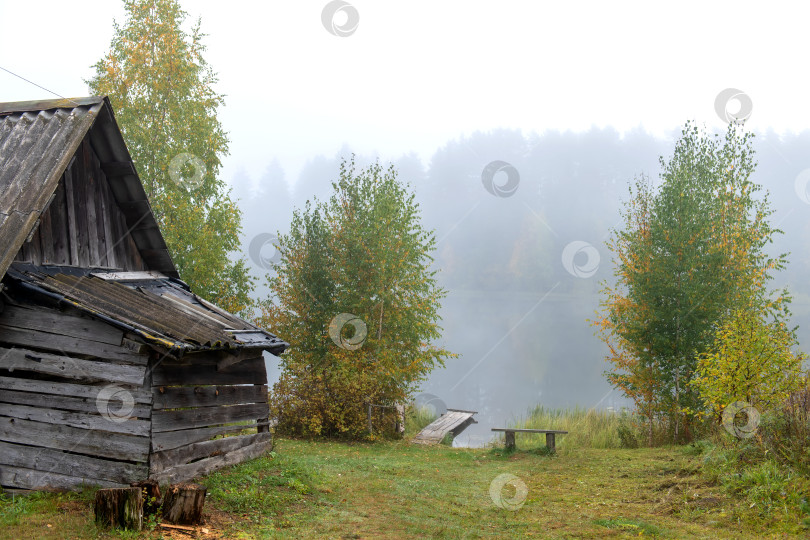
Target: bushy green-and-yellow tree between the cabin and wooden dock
x,y
356,295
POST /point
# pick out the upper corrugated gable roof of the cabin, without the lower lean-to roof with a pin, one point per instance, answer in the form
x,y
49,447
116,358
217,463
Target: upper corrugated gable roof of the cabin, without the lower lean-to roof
x,y
37,141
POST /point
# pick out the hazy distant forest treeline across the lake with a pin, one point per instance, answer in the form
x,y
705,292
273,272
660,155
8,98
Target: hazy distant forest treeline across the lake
x,y
571,187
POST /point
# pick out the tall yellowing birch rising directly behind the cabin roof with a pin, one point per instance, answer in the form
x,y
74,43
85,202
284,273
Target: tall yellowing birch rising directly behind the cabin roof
x,y
162,91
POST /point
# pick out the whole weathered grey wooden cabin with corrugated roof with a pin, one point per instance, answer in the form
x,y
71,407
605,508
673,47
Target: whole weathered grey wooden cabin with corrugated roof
x,y
111,369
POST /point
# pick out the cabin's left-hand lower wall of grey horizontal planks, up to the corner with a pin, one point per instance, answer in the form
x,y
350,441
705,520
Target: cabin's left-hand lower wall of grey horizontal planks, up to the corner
x,y
55,431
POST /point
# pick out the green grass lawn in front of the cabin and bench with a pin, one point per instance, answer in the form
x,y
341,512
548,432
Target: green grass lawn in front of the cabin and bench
x,y
308,489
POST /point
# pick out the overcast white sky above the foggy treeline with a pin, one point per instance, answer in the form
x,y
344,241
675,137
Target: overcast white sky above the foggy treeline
x,y
415,74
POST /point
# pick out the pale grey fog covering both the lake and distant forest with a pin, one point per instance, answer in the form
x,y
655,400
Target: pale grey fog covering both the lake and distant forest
x,y
523,261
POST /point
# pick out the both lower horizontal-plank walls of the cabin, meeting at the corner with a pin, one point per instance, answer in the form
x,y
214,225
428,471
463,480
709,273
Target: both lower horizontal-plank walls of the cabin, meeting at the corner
x,y
57,432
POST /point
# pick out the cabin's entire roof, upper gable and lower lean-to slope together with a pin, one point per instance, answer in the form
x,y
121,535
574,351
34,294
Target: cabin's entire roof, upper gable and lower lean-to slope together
x,y
38,140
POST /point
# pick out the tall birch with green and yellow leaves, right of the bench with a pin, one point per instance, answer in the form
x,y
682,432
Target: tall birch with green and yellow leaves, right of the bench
x,y
690,260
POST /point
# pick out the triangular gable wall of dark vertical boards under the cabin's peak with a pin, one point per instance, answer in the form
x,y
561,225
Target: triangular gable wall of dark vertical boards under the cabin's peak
x,y
83,225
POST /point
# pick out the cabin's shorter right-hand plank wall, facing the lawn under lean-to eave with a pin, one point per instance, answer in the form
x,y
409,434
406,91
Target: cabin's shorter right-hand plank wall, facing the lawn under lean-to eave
x,y
204,397
